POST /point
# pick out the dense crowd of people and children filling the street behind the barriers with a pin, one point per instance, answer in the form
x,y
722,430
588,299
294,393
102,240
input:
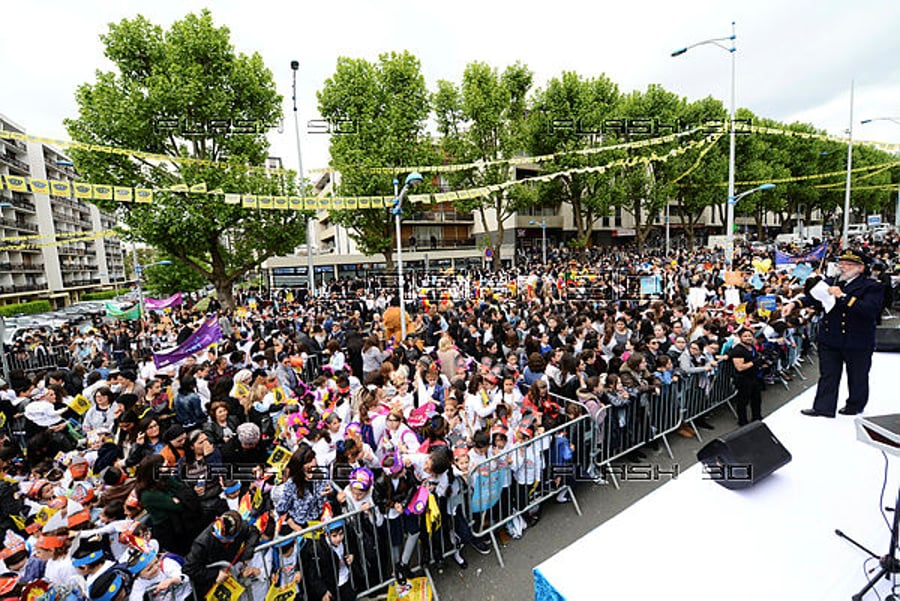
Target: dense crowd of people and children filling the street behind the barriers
x,y
120,479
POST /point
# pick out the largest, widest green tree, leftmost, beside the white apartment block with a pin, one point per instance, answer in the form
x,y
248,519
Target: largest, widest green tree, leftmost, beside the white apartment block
x,y
186,92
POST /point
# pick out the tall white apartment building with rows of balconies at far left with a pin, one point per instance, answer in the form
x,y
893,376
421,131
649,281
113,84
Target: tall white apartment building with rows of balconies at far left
x,y
32,265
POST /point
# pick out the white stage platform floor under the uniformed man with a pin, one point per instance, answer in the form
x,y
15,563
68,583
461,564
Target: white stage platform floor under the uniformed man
x,y
694,539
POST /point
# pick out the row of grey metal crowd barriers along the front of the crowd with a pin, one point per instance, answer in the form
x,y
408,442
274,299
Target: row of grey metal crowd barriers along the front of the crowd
x,y
504,490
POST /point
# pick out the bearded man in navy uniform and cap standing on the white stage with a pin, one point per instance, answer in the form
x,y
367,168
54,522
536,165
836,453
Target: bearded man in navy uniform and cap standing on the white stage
x,y
846,336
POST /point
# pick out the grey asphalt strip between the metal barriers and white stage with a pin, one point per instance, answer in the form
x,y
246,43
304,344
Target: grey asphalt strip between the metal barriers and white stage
x,y
560,525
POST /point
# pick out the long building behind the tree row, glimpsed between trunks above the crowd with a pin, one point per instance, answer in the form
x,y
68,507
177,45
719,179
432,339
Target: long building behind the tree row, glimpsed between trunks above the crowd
x,y
441,237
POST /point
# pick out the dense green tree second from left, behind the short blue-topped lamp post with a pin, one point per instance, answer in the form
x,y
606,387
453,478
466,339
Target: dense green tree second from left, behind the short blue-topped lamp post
x,y
388,103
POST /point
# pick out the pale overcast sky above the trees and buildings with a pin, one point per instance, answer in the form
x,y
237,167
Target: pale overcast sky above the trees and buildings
x,y
795,58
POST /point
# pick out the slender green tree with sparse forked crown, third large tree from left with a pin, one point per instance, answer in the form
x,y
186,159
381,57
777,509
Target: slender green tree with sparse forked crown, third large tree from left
x,y
484,120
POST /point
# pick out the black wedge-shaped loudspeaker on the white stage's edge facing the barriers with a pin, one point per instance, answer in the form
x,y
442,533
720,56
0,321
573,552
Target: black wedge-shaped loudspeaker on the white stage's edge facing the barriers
x,y
742,458
